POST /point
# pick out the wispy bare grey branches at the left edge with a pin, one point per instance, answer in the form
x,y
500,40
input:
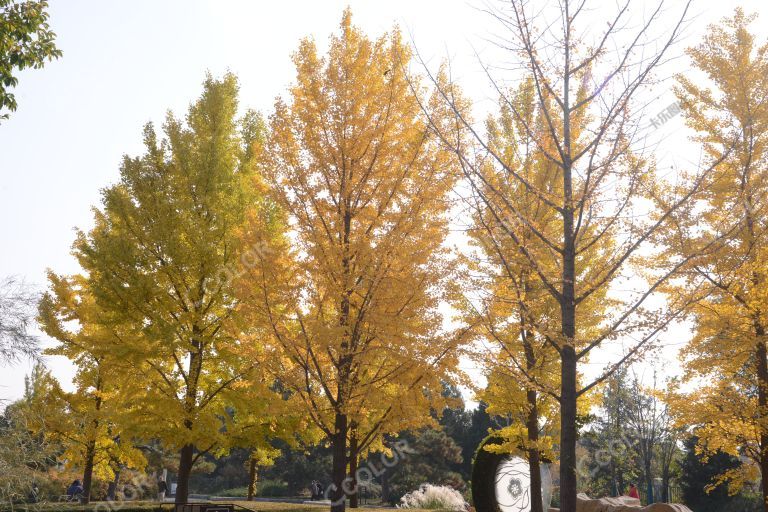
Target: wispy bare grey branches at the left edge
x,y
18,306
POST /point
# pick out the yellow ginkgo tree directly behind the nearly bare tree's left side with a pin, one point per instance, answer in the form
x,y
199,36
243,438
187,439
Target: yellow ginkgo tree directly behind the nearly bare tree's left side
x,y
510,310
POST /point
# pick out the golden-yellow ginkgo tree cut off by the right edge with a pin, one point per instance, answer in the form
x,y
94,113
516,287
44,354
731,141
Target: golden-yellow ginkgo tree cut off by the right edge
x,y
725,99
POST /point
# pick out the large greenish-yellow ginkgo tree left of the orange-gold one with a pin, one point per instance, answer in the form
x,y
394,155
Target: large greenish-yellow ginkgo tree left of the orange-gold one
x,y
160,263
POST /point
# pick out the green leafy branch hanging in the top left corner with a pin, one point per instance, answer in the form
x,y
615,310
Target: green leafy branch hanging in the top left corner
x,y
26,41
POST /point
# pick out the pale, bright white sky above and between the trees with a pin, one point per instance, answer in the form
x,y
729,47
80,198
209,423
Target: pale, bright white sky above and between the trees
x,y
126,63
